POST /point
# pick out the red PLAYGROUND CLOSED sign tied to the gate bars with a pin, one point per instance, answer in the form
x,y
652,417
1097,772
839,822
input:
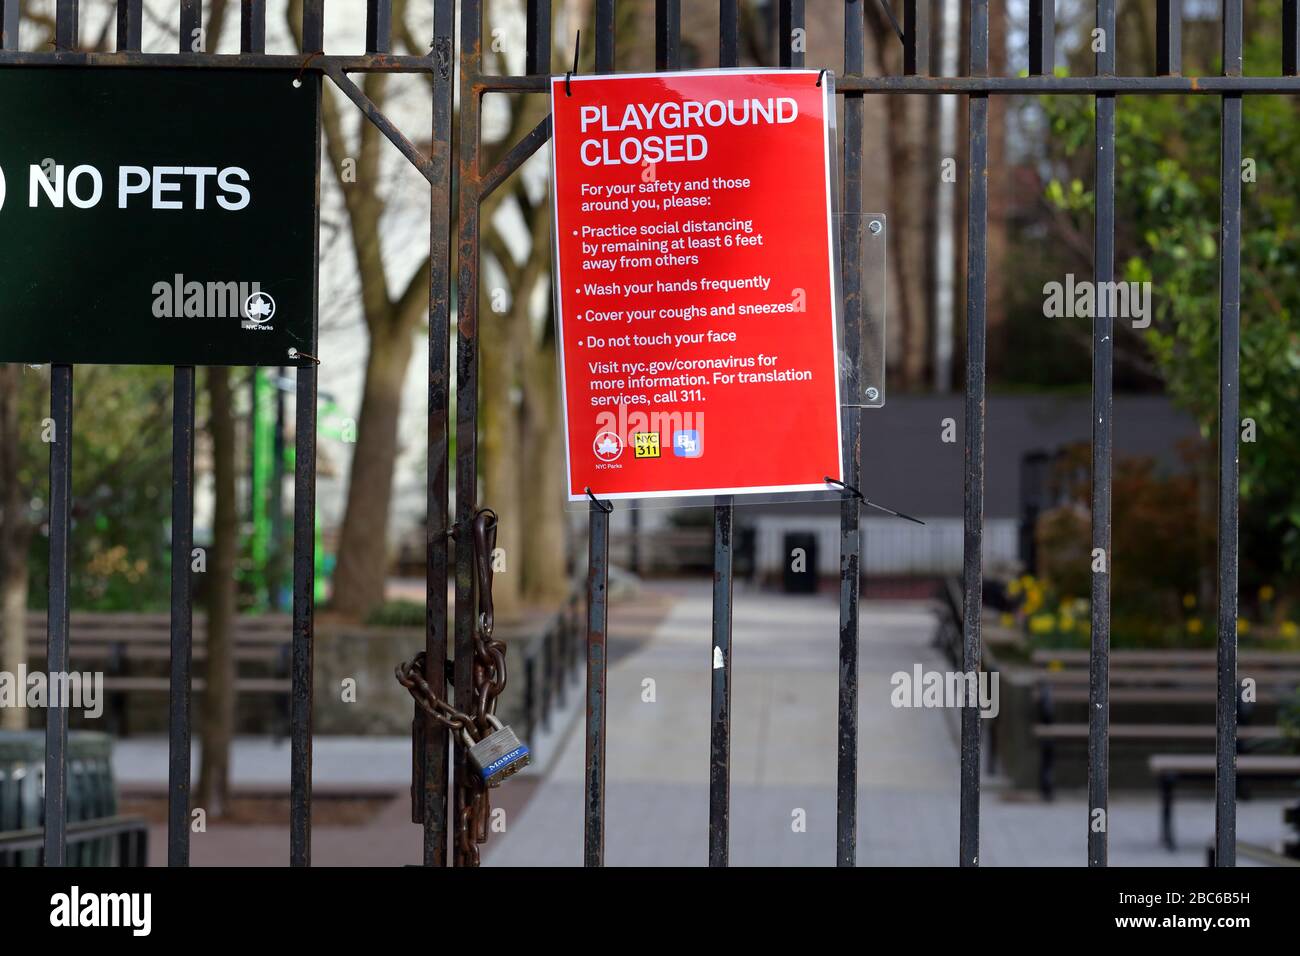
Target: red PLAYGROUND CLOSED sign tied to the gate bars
x,y
696,283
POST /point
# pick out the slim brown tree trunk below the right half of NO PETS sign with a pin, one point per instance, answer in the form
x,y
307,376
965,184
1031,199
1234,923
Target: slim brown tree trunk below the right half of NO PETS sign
x,y
219,699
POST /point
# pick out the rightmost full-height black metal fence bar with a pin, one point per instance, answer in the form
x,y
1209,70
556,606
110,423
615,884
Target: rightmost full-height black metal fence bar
x,y
1230,417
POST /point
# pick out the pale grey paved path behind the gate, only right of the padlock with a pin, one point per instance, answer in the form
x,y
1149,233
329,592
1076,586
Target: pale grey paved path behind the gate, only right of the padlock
x,y
785,752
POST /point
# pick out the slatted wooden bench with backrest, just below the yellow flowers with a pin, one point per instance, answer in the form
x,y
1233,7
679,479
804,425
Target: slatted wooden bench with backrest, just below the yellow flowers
x,y
1156,678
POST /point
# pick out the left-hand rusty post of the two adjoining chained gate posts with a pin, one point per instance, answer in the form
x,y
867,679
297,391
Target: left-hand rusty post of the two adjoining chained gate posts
x,y
436,739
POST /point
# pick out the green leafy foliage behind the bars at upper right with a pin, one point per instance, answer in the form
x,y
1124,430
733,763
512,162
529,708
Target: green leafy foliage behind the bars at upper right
x,y
1168,233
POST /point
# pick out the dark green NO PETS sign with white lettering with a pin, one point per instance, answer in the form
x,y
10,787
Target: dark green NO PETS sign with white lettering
x,y
158,217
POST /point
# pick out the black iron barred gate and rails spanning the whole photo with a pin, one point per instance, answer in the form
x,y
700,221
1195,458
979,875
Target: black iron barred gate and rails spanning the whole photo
x,y
475,184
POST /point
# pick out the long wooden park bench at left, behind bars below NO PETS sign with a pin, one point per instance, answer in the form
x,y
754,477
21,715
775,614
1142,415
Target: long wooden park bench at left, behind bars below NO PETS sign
x,y
114,643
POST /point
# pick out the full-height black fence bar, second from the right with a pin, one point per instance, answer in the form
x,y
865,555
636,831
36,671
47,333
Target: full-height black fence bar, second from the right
x,y
1103,408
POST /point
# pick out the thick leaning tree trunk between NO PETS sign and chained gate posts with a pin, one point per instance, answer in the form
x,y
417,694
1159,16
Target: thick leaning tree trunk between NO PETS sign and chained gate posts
x,y
363,553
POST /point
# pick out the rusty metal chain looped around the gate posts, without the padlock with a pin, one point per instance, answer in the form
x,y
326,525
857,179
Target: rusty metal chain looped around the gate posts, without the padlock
x,y
489,682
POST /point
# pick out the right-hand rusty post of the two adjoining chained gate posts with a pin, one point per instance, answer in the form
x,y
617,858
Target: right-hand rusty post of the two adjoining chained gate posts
x,y
467,386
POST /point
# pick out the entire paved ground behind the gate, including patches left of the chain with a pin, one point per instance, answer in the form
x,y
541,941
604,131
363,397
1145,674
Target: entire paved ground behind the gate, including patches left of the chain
x,y
786,664
